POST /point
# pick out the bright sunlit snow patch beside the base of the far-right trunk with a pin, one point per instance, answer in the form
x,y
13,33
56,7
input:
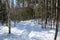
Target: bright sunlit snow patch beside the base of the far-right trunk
x,y
42,35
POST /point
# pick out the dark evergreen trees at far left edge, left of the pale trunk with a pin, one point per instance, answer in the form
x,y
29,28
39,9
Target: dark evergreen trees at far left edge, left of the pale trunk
x,y
3,13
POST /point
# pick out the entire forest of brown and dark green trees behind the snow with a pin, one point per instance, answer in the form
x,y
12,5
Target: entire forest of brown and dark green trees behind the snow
x,y
21,10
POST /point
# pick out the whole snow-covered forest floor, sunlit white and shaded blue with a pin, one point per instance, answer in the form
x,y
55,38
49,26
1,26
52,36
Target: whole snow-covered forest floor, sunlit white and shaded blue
x,y
27,30
